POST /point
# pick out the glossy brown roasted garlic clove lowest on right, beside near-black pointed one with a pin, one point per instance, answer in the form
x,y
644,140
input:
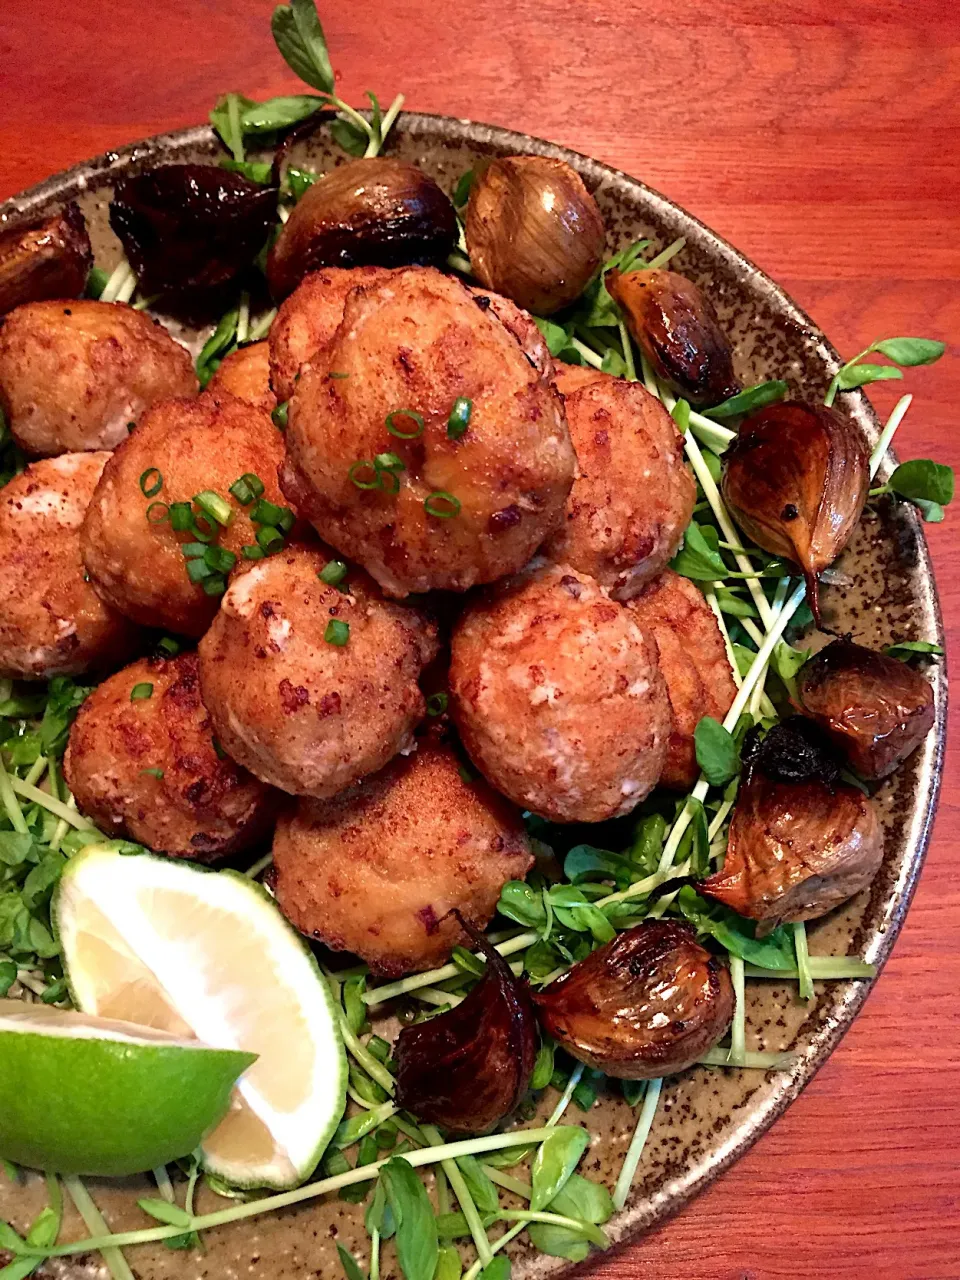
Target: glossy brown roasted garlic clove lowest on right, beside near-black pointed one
x,y
646,1005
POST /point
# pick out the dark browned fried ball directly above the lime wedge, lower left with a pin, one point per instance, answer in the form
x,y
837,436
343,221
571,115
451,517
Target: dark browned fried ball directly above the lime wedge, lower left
x,y
143,764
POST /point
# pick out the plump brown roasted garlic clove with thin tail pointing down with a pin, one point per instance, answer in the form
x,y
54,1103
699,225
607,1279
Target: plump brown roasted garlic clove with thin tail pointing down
x,y
796,481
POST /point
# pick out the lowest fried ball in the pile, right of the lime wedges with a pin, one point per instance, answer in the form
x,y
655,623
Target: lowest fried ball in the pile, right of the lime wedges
x,y
377,870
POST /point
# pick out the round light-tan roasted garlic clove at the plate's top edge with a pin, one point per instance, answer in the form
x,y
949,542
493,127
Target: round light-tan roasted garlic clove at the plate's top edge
x,y
534,232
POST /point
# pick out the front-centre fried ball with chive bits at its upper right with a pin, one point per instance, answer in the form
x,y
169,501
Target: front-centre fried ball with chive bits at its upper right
x,y
298,700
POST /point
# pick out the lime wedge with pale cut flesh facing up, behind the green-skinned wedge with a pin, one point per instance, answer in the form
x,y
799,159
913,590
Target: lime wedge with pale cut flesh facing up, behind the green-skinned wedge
x,y
208,954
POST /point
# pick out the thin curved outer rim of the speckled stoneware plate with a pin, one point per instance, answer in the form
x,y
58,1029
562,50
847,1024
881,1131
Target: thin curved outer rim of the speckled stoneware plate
x,y
639,1218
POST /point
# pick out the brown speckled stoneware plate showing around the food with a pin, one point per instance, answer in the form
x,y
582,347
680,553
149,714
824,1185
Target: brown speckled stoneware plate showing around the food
x,y
708,1117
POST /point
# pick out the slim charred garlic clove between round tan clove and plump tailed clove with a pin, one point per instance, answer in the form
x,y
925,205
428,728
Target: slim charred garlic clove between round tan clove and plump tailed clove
x,y
678,330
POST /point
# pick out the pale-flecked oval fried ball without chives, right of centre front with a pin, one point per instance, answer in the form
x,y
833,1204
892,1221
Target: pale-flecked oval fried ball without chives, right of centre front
x,y
559,698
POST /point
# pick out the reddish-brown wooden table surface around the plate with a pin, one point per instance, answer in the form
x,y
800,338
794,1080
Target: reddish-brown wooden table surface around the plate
x,y
822,138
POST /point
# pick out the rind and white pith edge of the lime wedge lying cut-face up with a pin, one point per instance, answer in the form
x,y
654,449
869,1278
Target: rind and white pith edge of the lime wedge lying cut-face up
x,y
327,1105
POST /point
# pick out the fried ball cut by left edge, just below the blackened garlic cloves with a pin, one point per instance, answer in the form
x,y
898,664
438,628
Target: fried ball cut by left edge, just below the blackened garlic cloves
x,y
75,376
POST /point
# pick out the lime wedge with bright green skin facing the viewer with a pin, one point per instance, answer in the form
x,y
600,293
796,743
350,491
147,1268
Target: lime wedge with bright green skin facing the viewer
x,y
90,1096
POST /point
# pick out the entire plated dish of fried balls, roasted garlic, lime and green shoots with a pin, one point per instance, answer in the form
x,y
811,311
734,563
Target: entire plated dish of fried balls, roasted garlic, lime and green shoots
x,y
431,703
